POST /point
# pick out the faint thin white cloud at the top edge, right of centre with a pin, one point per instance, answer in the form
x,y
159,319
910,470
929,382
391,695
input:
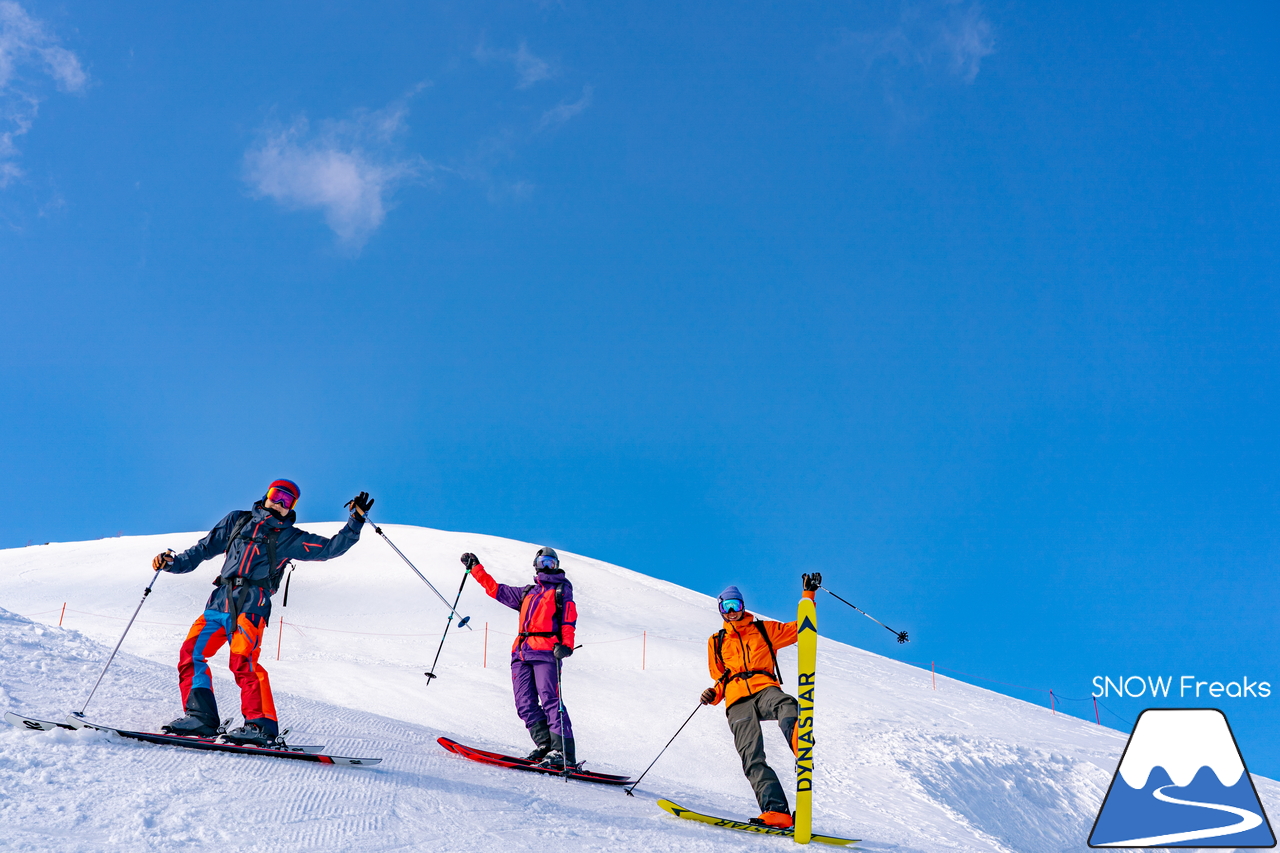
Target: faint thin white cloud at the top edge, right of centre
x,y
930,35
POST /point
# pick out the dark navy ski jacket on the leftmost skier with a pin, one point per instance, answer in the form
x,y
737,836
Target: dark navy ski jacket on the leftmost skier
x,y
246,558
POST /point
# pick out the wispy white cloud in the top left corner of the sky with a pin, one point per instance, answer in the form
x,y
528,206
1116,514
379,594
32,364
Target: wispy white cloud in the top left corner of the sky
x,y
29,56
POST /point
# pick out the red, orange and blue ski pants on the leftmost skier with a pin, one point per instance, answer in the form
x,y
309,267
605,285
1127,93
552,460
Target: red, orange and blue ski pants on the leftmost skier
x,y
207,636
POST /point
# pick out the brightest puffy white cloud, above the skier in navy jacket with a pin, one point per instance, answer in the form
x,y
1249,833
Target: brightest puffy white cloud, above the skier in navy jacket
x,y
348,170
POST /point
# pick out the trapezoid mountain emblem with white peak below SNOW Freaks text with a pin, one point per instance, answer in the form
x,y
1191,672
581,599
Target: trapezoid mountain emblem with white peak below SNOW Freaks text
x,y
1182,783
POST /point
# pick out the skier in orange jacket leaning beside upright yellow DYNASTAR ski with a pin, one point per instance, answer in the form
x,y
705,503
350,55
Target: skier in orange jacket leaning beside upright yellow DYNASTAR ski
x,y
743,660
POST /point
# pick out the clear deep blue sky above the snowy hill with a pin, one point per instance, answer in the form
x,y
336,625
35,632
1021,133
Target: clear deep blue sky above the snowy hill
x,y
971,307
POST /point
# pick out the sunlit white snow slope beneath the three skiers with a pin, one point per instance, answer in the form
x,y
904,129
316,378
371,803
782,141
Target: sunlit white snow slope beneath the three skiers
x,y
906,768
